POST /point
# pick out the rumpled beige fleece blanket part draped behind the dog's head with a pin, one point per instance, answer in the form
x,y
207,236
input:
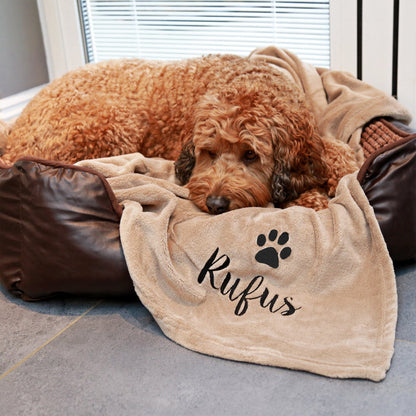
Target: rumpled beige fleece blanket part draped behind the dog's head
x,y
341,103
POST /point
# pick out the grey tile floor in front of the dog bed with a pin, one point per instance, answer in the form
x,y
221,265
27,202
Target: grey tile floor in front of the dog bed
x,y
78,356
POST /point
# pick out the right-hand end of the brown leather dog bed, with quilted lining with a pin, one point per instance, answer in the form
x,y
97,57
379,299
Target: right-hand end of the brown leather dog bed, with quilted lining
x,y
388,178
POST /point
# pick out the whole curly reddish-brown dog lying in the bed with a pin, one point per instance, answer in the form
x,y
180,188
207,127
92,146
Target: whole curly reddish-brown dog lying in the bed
x,y
240,131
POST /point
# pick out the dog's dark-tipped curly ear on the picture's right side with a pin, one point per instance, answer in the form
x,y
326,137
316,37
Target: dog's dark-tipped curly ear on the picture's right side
x,y
297,151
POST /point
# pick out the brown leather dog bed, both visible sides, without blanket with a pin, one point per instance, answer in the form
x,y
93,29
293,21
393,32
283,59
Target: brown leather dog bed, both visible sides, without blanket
x,y
59,223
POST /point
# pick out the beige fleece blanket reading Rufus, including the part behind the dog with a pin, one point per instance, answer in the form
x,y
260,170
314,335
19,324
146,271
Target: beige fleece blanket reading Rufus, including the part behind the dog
x,y
294,288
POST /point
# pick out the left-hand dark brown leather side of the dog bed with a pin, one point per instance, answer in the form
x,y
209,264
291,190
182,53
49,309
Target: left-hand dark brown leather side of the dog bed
x,y
59,232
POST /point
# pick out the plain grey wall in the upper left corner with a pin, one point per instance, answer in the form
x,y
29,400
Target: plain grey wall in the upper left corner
x,y
22,54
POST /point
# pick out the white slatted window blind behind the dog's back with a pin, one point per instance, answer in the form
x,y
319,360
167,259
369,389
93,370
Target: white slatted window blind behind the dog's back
x,y
172,29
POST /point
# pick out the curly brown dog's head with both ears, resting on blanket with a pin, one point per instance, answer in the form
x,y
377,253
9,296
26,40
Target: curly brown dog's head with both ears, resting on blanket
x,y
248,149
